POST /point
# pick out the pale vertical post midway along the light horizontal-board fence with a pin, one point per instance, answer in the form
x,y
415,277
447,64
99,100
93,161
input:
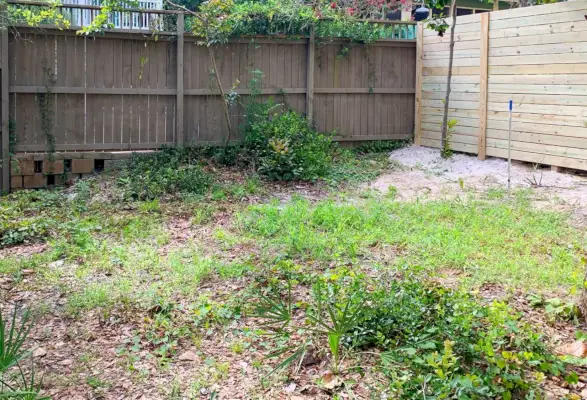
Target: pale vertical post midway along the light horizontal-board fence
x,y
482,138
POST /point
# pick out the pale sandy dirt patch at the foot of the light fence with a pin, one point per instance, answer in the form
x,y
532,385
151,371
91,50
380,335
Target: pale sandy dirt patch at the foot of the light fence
x,y
423,174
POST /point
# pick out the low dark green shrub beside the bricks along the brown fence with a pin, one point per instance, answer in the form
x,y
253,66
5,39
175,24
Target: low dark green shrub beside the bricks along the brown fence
x,y
166,172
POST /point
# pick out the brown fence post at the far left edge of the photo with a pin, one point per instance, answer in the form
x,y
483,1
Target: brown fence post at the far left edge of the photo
x,y
5,114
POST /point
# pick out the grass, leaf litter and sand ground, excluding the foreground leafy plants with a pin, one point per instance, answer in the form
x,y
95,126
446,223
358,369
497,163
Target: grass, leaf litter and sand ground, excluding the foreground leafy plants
x,y
153,299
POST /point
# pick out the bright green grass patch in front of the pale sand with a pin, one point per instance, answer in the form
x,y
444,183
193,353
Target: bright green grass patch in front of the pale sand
x,y
498,242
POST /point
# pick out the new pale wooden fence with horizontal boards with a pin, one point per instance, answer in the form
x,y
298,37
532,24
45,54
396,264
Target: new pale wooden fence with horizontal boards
x,y
535,56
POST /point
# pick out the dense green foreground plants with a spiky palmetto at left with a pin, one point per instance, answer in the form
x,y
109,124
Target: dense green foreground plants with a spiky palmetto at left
x,y
434,342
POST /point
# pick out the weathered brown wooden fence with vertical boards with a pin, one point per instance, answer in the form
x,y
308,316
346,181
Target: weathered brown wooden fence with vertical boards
x,y
128,90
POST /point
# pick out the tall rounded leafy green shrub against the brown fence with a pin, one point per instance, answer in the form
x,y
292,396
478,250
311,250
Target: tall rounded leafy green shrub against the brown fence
x,y
285,148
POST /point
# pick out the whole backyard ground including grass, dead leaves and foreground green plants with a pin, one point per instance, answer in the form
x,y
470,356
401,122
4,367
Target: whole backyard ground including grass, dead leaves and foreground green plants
x,y
342,288
